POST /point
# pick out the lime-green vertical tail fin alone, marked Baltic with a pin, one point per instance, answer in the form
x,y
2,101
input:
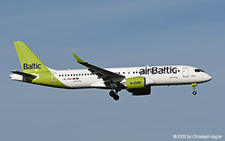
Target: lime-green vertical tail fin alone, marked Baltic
x,y
30,63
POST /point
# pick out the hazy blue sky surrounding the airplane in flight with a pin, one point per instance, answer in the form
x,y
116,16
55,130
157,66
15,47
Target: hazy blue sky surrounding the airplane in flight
x,y
112,34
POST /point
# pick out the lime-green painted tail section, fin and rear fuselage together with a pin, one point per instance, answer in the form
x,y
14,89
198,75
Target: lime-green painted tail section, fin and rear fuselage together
x,y
32,65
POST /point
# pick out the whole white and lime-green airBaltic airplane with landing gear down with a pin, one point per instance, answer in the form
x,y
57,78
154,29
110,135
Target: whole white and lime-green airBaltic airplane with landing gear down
x,y
136,80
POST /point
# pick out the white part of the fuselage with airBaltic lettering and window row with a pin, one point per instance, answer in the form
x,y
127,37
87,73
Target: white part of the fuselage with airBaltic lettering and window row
x,y
155,75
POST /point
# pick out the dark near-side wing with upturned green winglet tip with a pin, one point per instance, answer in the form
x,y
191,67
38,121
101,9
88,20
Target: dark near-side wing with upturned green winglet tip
x,y
110,79
